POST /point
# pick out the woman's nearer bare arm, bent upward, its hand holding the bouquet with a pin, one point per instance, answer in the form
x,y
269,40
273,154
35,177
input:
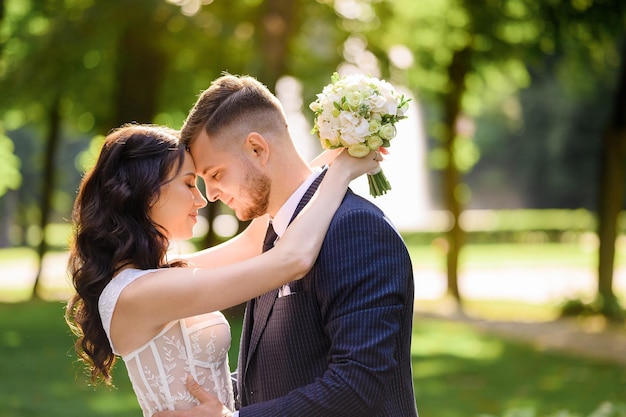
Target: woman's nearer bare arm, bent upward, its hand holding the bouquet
x,y
174,293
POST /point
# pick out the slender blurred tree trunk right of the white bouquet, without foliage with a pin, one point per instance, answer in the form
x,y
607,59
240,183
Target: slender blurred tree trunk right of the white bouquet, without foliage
x,y
452,177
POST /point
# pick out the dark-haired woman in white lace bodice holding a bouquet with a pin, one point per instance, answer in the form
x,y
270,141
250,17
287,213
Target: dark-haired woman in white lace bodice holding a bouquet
x,y
162,316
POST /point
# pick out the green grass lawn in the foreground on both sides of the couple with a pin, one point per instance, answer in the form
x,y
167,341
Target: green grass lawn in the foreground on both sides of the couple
x,y
458,372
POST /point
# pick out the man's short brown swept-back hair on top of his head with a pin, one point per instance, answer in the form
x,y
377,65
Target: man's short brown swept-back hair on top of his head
x,y
233,100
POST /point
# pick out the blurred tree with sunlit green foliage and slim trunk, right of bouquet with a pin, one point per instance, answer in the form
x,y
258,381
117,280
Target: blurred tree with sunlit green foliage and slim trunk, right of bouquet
x,y
470,56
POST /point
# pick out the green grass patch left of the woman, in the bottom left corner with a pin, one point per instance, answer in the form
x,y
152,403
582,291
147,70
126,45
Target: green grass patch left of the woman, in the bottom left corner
x,y
40,373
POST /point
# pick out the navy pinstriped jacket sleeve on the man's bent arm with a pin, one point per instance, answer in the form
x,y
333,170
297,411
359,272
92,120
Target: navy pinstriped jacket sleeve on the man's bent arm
x,y
363,282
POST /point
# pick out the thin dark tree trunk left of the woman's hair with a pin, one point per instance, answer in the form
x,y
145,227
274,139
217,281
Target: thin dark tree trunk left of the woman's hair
x,y
53,141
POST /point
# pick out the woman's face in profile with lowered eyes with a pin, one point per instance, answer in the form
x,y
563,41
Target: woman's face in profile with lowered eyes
x,y
176,209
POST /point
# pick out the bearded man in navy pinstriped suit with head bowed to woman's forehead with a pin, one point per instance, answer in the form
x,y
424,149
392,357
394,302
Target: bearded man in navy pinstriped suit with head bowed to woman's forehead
x,y
337,342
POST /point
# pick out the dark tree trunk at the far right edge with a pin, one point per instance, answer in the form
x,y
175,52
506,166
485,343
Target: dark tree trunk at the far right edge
x,y
611,197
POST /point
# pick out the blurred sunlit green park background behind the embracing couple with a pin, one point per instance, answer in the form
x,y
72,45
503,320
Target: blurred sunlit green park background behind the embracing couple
x,y
508,175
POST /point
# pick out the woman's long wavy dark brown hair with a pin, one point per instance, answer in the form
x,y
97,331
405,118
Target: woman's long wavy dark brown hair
x,y
113,229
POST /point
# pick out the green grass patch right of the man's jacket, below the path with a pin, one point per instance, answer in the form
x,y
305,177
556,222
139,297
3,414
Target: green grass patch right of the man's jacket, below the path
x,y
459,371
